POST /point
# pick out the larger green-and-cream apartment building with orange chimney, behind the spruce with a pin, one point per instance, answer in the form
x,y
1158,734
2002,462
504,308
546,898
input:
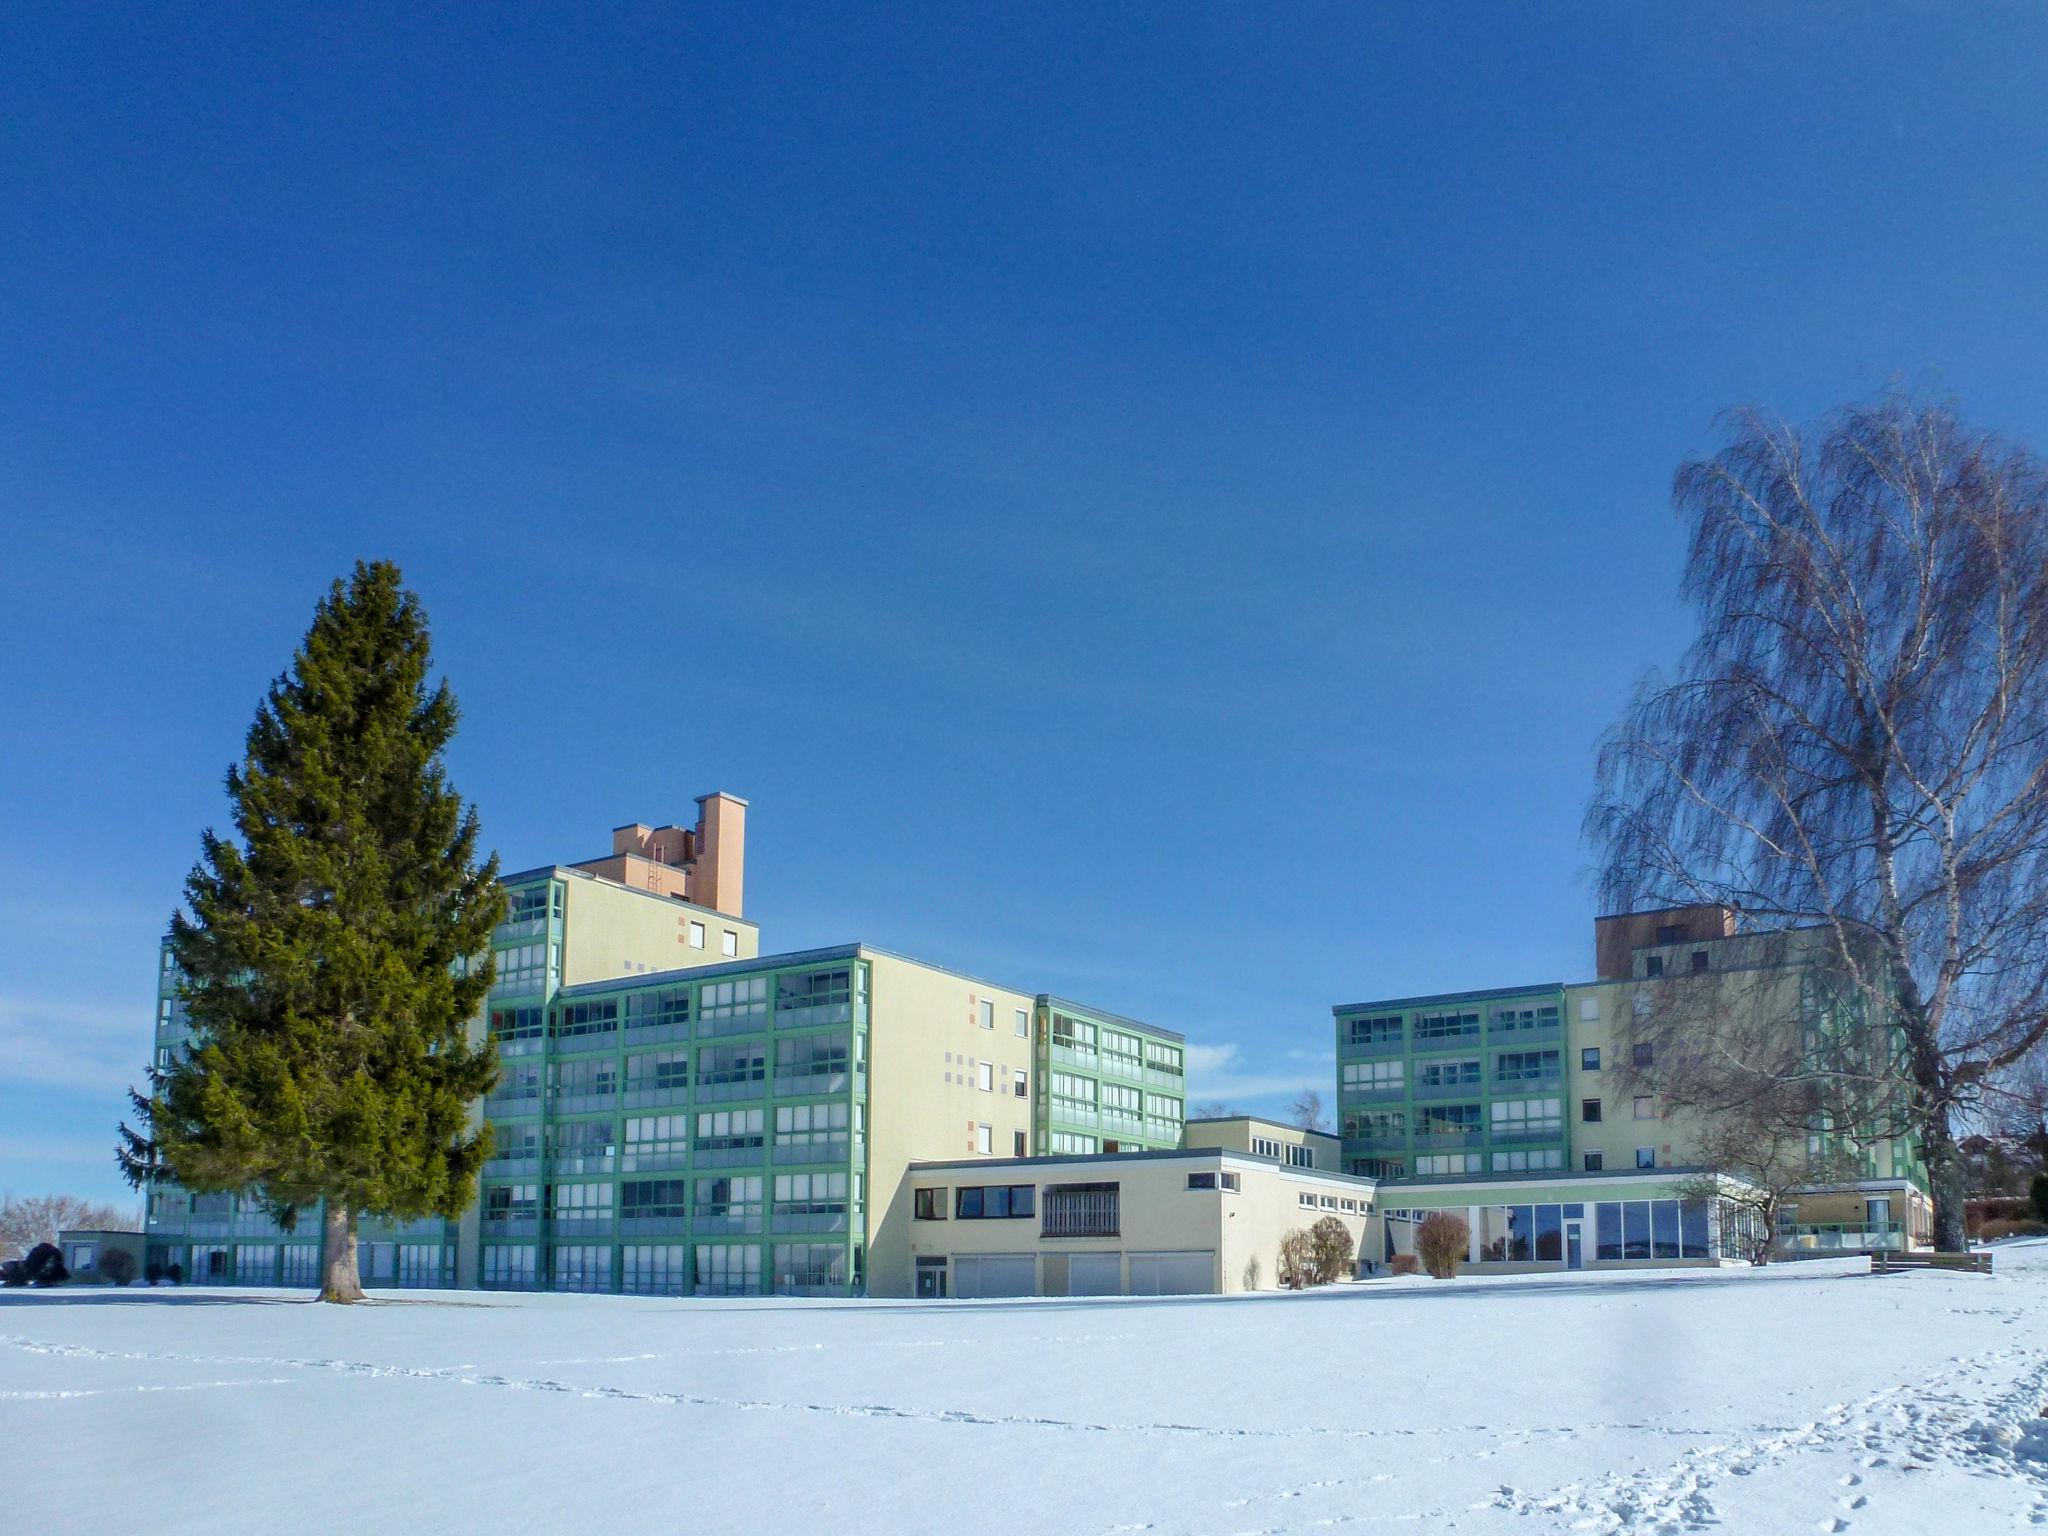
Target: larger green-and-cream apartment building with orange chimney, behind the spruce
x,y
679,1113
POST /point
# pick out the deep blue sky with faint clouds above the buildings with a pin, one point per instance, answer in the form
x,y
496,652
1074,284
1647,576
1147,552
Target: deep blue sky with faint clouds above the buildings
x,y
1146,503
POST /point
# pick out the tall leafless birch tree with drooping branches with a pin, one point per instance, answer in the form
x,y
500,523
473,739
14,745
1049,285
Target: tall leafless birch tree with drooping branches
x,y
1859,742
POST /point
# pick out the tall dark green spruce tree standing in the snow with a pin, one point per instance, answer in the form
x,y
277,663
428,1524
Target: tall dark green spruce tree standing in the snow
x,y
335,955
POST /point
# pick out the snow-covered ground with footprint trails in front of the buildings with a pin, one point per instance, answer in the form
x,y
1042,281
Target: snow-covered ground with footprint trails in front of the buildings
x,y
1793,1400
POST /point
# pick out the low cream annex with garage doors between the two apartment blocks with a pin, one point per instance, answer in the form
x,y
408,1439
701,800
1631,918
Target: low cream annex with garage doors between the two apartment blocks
x,y
1175,1228
